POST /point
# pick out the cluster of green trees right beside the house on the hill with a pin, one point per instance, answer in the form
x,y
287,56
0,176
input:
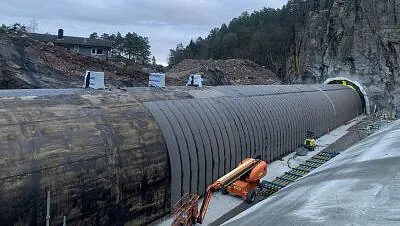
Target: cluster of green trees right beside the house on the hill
x,y
132,46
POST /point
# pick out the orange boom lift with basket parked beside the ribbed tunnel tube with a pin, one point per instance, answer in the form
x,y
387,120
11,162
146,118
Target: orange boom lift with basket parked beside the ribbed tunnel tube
x,y
243,181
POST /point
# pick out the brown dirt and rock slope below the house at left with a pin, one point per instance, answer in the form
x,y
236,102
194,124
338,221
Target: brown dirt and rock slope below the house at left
x,y
25,63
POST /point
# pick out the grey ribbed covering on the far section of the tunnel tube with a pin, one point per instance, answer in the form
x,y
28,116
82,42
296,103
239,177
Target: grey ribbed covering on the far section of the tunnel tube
x,y
206,138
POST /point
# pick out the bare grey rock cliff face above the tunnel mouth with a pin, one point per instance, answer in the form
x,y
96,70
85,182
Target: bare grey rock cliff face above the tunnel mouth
x,y
359,40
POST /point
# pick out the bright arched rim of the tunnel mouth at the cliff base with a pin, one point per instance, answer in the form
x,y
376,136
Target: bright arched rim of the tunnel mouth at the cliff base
x,y
357,87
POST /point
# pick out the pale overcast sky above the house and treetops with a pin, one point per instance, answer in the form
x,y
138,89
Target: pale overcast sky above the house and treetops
x,y
165,22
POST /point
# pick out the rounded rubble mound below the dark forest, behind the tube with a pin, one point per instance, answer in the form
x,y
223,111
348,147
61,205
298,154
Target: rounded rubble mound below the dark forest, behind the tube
x,y
222,72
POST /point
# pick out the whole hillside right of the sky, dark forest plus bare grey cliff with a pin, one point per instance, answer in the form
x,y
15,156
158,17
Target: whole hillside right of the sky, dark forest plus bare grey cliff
x,y
308,41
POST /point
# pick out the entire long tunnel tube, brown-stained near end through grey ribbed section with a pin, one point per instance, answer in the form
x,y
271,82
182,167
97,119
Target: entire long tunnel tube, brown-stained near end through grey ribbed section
x,y
125,157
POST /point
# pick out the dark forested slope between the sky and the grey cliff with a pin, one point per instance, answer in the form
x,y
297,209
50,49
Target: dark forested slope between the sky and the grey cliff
x,y
267,37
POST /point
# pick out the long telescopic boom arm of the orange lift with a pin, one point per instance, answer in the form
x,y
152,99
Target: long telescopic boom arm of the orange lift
x,y
229,178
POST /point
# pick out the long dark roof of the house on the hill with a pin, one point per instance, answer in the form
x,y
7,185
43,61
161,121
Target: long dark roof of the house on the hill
x,y
72,40
